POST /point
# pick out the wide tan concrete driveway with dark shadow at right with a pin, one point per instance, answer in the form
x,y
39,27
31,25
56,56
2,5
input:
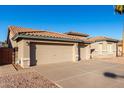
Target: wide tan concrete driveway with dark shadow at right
x,y
84,74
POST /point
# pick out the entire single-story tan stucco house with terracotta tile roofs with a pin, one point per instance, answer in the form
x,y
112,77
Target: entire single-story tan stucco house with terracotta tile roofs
x,y
37,47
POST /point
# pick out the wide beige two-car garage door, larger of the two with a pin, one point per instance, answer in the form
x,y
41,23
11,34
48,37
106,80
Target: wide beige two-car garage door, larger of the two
x,y
51,53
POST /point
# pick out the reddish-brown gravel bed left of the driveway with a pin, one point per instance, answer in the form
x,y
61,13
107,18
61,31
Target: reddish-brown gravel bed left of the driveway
x,y
25,80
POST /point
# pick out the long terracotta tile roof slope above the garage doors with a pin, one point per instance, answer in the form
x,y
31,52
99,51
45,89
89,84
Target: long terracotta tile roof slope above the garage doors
x,y
27,31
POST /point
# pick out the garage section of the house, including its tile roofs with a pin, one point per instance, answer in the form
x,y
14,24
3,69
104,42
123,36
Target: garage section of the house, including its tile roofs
x,y
36,47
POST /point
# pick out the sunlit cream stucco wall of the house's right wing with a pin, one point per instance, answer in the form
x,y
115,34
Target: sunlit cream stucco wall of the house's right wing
x,y
102,49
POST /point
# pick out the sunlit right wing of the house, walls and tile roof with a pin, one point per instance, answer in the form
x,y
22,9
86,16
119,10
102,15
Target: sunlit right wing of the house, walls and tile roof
x,y
103,47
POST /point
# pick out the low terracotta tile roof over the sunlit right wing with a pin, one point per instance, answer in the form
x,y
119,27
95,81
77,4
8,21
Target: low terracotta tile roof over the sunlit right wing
x,y
100,38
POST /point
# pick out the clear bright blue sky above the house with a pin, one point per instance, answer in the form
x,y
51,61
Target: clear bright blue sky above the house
x,y
93,20
